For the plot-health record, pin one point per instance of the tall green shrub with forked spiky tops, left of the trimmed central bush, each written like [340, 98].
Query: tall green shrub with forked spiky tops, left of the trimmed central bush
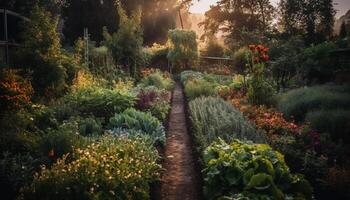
[126, 43]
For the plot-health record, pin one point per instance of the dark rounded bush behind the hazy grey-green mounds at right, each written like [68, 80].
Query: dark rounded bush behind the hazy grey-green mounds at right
[317, 62]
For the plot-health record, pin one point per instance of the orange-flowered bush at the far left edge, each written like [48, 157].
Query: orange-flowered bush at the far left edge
[15, 91]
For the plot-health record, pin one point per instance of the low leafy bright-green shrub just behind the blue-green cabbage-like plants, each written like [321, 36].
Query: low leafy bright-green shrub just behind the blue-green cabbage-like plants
[100, 102]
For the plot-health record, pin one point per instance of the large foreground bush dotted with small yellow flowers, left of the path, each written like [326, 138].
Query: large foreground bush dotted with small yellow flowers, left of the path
[111, 168]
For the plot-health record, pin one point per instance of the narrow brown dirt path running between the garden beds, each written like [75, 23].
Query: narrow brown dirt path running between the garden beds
[180, 181]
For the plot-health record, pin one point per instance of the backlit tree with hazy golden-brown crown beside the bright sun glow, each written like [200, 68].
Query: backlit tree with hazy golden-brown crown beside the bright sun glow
[237, 16]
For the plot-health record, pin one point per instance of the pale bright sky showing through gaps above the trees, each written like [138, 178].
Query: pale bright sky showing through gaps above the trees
[342, 6]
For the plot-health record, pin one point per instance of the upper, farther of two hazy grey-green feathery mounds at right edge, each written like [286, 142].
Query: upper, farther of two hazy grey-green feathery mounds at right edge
[297, 103]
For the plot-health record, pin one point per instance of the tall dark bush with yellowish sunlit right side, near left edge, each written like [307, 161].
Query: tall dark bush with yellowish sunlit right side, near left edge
[41, 53]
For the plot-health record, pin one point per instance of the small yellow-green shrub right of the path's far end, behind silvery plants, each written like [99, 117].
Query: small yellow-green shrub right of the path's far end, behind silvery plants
[199, 87]
